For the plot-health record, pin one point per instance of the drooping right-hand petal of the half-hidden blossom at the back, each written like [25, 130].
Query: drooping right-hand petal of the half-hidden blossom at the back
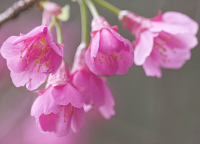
[107, 110]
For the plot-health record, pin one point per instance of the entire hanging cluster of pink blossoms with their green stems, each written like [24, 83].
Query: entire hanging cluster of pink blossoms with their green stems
[161, 42]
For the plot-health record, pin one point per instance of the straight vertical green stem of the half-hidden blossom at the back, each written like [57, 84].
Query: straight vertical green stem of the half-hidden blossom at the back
[84, 23]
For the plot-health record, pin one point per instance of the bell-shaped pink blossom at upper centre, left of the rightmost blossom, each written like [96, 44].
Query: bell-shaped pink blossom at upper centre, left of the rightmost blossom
[109, 53]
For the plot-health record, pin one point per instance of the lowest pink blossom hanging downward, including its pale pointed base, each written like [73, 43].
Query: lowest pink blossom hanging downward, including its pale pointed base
[59, 107]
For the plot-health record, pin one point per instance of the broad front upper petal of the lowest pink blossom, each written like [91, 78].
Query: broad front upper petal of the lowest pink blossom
[66, 94]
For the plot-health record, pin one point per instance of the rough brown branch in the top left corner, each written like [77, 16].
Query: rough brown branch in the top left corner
[17, 8]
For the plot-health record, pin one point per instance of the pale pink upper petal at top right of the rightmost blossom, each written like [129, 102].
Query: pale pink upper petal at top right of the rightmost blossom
[178, 18]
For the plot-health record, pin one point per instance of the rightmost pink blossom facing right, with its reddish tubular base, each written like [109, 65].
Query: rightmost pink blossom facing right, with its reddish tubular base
[164, 41]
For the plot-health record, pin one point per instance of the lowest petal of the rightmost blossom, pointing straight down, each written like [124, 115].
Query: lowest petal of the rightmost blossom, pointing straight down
[151, 67]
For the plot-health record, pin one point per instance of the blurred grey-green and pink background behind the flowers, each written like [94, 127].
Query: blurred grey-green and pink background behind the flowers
[148, 110]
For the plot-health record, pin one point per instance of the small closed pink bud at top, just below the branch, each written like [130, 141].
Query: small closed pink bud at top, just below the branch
[49, 9]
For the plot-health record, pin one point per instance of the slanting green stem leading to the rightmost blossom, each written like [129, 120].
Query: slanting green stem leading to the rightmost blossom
[108, 6]
